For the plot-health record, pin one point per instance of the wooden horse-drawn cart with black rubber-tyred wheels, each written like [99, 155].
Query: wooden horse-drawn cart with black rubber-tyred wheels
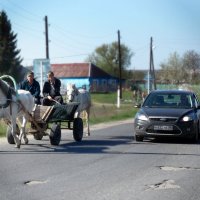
[50, 120]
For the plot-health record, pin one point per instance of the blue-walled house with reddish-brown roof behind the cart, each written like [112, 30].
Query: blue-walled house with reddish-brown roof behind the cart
[85, 75]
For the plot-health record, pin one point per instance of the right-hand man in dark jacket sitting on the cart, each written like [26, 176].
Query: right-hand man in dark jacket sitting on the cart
[51, 91]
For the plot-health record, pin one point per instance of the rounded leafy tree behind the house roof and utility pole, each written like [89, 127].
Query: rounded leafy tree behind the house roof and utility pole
[106, 57]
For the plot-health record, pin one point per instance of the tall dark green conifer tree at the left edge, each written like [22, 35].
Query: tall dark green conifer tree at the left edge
[10, 60]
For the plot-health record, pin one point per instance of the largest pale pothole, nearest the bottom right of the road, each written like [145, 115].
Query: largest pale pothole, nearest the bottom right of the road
[166, 184]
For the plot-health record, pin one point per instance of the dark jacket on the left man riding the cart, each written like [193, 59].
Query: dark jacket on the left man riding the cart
[34, 89]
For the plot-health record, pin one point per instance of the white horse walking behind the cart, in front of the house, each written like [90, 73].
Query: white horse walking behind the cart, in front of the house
[83, 97]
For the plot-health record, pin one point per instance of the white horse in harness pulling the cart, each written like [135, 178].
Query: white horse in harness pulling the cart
[12, 106]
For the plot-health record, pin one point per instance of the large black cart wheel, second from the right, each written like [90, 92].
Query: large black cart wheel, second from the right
[55, 134]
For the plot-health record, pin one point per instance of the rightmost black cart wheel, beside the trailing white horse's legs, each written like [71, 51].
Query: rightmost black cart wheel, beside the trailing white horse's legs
[78, 129]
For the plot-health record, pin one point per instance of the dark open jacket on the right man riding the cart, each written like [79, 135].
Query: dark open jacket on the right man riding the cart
[47, 88]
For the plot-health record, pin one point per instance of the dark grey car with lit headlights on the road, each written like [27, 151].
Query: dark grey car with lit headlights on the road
[168, 113]
